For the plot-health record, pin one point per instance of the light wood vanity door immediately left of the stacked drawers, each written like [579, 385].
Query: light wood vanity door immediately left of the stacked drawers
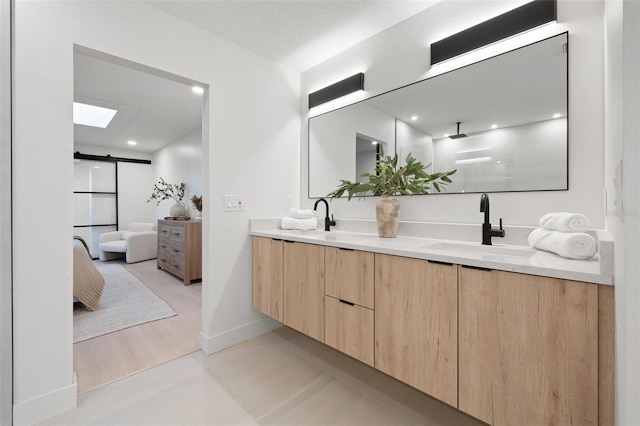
[304, 288]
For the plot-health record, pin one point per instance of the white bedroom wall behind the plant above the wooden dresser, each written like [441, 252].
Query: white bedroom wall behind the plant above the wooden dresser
[180, 161]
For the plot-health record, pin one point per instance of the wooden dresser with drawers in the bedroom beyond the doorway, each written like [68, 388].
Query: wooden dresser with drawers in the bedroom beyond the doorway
[180, 248]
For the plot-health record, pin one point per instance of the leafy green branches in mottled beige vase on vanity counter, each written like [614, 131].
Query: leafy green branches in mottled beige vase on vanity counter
[388, 180]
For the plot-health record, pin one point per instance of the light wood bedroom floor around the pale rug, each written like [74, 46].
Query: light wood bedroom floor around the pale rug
[111, 357]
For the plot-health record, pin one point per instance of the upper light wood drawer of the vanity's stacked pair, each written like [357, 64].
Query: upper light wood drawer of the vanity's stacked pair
[349, 275]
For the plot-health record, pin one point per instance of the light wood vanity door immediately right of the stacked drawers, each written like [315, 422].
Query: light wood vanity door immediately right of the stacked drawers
[416, 324]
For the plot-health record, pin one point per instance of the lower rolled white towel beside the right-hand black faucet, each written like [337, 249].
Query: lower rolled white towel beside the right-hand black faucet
[572, 245]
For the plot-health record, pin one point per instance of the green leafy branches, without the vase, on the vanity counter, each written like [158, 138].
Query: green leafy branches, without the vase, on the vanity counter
[389, 178]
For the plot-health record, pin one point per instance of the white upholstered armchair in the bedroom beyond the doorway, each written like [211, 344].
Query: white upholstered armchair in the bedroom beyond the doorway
[139, 242]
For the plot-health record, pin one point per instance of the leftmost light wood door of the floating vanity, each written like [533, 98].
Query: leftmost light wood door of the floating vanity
[268, 284]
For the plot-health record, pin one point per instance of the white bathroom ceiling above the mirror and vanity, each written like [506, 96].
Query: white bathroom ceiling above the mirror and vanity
[298, 33]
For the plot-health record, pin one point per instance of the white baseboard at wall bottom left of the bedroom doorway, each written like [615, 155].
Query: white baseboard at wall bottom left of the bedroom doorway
[46, 406]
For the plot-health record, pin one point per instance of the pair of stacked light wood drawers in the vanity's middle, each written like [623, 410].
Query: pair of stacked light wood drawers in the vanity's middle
[349, 302]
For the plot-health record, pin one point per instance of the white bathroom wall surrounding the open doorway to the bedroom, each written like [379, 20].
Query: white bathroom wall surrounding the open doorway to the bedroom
[252, 122]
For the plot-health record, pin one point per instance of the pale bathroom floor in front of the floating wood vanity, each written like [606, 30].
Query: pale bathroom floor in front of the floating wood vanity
[279, 378]
